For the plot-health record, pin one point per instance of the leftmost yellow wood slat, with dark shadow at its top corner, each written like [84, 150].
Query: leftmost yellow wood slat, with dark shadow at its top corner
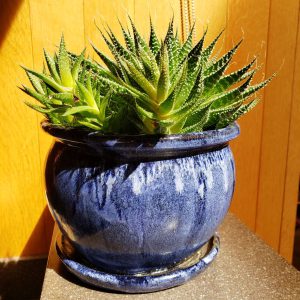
[20, 190]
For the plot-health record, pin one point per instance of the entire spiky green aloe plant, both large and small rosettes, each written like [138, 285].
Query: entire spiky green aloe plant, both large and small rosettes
[154, 87]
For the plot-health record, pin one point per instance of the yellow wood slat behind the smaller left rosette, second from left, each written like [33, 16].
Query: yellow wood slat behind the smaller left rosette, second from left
[48, 22]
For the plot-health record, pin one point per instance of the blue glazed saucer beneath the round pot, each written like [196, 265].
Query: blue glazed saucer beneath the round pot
[142, 282]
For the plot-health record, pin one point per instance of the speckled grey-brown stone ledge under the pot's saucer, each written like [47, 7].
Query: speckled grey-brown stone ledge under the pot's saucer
[246, 268]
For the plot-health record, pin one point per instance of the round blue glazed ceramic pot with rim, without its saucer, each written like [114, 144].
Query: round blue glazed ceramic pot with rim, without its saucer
[132, 204]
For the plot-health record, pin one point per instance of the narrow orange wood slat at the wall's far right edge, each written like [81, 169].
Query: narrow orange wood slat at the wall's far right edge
[293, 164]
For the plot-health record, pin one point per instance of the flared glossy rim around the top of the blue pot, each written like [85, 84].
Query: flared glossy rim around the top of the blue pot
[144, 145]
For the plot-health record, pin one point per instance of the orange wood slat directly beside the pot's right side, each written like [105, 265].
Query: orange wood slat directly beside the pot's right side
[249, 20]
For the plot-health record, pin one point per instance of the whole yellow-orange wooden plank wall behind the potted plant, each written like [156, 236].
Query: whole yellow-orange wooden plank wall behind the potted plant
[267, 152]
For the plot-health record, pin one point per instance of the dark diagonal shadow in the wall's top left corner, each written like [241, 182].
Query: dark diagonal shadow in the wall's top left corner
[8, 10]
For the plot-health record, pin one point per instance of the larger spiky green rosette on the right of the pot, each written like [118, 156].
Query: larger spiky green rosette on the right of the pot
[175, 87]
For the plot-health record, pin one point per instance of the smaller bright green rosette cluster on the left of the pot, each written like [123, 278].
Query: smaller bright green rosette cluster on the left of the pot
[68, 94]
